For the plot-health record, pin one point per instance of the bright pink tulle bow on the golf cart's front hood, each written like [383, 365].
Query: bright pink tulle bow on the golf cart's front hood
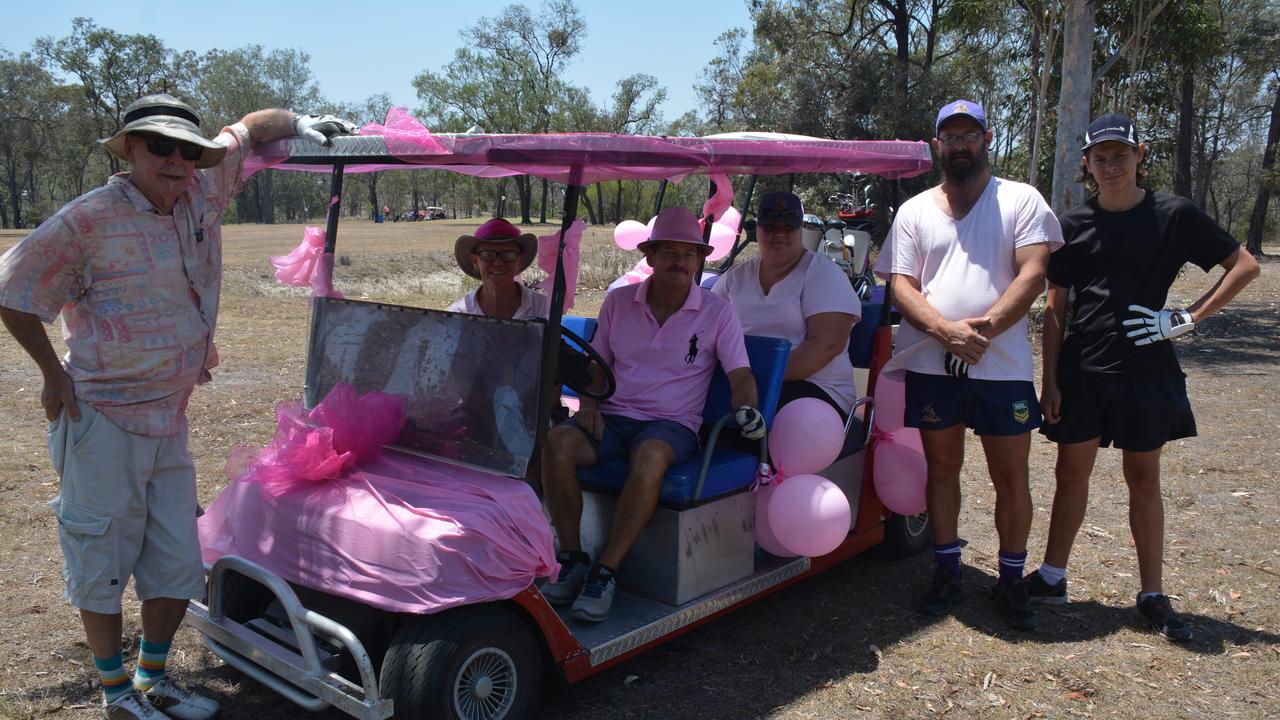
[326, 444]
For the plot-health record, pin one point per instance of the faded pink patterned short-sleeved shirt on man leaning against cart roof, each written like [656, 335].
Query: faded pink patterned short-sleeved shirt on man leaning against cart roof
[138, 291]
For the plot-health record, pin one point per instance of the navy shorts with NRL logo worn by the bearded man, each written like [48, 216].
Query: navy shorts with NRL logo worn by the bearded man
[991, 408]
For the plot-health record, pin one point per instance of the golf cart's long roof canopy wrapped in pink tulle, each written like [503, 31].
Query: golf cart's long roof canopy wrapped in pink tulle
[587, 158]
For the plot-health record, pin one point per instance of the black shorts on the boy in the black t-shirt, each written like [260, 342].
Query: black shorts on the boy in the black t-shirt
[1139, 413]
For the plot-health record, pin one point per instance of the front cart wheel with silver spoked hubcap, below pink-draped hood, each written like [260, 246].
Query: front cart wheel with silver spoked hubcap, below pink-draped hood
[477, 663]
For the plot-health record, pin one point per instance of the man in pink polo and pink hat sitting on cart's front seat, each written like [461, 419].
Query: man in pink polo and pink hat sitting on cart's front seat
[662, 340]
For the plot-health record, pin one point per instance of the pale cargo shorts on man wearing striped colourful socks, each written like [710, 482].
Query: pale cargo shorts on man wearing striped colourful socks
[127, 508]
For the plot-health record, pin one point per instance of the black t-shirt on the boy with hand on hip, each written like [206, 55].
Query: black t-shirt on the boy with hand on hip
[1114, 261]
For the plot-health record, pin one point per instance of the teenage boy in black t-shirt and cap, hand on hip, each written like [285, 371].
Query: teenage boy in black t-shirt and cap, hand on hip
[1114, 379]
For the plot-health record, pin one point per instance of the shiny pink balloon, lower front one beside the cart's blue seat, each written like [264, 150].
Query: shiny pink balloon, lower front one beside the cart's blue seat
[810, 516]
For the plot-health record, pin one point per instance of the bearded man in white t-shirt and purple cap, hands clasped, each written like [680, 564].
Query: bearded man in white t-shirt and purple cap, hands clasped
[966, 262]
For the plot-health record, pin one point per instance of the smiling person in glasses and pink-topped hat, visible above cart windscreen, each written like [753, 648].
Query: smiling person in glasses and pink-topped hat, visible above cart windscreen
[496, 256]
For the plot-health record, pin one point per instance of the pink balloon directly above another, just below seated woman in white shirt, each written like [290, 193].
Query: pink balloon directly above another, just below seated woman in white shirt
[807, 436]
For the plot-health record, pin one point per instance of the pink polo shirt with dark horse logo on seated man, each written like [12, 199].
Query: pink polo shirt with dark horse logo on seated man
[664, 372]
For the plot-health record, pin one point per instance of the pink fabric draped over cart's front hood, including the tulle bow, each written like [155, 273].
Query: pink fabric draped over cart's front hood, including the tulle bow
[324, 509]
